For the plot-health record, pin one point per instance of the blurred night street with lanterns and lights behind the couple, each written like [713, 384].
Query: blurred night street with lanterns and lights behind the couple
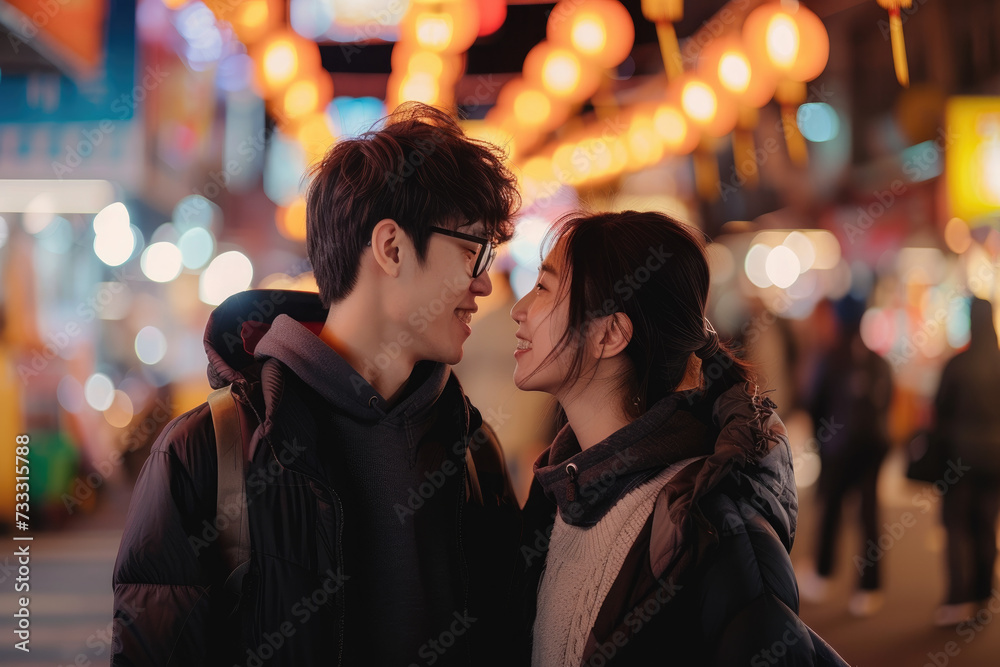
[842, 157]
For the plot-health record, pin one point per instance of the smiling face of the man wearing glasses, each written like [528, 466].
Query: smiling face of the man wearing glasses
[440, 296]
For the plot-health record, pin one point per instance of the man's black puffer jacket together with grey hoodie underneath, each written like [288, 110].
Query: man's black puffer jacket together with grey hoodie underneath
[314, 525]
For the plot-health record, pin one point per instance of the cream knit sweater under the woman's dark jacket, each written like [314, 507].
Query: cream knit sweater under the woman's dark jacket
[580, 567]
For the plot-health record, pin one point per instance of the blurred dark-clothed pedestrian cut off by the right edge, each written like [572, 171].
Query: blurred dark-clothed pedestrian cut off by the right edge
[967, 413]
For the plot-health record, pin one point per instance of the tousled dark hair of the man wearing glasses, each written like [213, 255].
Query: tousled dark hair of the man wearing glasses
[419, 169]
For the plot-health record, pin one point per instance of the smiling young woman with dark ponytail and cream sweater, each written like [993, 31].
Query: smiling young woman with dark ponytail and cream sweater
[659, 521]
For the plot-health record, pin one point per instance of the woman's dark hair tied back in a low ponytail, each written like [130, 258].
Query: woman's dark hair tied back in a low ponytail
[653, 269]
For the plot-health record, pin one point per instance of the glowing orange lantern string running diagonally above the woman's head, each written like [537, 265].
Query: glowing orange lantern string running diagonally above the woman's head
[781, 47]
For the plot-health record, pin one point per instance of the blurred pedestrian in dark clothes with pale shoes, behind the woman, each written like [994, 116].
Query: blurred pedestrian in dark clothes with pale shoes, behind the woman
[850, 413]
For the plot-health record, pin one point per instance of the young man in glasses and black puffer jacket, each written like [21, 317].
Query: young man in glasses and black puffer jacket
[381, 518]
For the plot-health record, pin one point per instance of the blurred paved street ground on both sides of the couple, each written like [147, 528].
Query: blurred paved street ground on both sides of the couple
[71, 592]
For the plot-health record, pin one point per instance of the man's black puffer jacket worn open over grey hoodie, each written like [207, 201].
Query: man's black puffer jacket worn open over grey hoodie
[170, 608]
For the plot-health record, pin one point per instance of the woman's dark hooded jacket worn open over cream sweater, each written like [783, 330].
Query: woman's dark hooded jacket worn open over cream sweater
[708, 581]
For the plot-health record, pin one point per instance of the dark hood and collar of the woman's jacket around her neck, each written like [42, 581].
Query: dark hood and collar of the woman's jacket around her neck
[737, 439]
